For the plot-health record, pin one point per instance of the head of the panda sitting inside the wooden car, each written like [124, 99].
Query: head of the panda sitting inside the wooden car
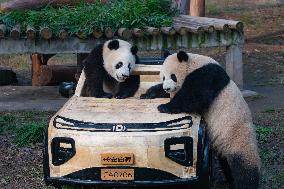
[119, 59]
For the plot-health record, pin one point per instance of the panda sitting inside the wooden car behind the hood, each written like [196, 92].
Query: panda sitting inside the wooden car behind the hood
[108, 70]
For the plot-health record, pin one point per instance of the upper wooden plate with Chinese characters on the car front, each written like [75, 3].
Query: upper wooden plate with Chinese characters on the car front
[117, 159]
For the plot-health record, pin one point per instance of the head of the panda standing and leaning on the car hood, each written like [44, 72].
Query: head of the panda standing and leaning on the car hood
[174, 71]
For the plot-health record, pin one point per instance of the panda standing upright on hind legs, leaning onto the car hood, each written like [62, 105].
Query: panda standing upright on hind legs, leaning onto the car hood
[198, 84]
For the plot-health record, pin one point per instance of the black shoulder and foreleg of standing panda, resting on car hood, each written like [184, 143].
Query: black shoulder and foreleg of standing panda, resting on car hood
[199, 90]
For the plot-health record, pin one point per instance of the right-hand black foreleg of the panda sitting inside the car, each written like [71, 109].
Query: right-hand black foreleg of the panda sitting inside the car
[129, 87]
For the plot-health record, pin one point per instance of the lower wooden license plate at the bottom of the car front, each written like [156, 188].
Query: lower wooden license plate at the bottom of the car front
[117, 174]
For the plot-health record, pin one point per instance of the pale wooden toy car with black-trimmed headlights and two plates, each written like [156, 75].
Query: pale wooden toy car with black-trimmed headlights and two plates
[124, 142]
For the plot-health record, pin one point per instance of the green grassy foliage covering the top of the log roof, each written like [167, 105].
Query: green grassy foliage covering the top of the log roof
[87, 17]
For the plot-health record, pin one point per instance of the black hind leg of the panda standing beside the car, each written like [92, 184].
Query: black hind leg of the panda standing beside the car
[239, 174]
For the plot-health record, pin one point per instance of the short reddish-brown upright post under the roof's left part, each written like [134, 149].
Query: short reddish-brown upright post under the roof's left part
[36, 69]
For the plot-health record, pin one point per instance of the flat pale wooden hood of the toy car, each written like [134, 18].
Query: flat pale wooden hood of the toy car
[133, 110]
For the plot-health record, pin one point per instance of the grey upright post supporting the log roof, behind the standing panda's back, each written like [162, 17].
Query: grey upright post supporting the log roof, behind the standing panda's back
[234, 64]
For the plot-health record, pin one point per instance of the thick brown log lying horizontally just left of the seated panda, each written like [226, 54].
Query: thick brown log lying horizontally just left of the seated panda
[55, 74]
